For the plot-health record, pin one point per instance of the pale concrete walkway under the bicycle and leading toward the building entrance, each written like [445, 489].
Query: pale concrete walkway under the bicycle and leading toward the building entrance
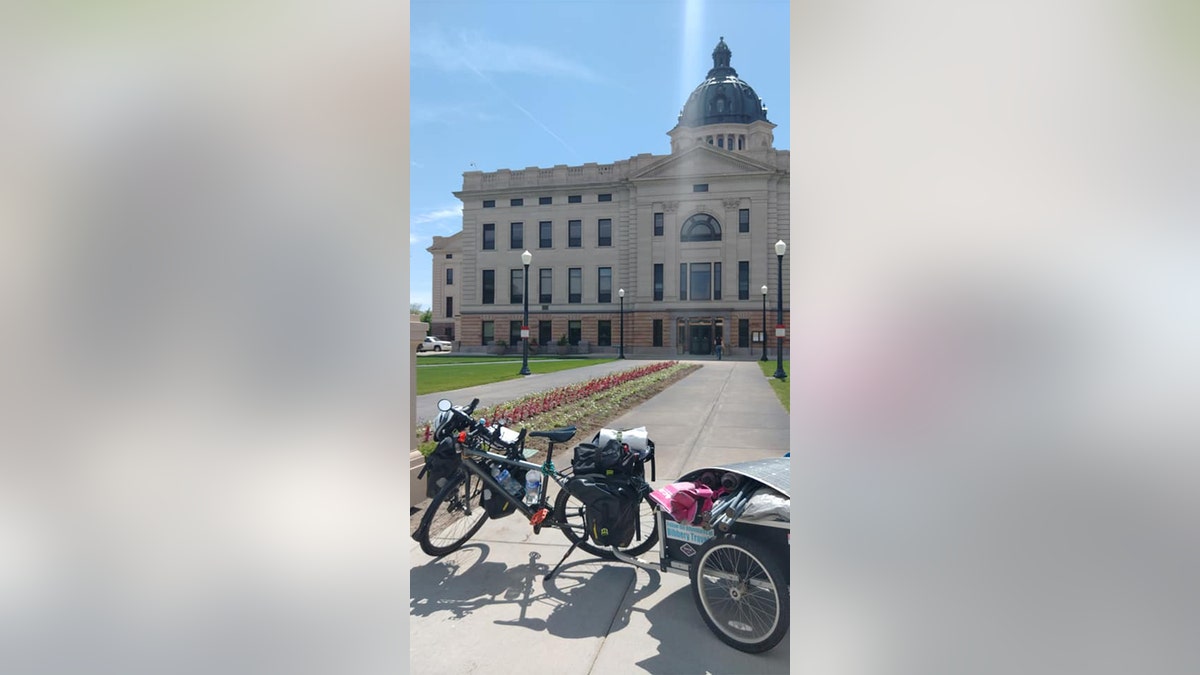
[488, 610]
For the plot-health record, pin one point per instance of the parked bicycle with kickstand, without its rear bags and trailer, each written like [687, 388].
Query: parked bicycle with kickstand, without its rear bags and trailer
[458, 511]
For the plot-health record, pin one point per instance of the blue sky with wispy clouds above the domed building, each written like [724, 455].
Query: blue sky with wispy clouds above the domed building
[513, 85]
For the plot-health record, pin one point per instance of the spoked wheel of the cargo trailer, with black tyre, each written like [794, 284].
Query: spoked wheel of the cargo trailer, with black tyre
[742, 593]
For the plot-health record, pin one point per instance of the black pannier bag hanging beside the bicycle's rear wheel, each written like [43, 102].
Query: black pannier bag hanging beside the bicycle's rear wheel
[610, 506]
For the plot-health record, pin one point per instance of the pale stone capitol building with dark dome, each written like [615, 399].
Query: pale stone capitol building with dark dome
[688, 236]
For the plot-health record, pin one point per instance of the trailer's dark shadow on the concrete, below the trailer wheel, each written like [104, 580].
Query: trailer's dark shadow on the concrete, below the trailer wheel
[687, 646]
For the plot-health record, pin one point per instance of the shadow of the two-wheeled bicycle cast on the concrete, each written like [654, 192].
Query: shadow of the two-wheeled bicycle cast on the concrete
[586, 599]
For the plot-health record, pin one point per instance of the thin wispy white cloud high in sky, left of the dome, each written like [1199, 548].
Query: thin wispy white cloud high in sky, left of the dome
[476, 52]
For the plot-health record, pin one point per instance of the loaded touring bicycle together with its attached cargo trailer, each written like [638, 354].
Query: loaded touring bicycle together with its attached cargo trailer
[725, 527]
